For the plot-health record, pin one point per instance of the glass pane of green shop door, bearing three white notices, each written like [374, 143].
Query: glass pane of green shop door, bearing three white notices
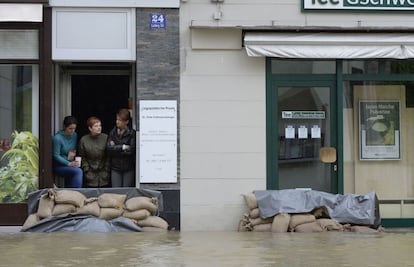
[303, 116]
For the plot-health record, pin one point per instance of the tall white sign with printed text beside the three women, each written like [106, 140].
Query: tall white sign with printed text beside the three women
[158, 141]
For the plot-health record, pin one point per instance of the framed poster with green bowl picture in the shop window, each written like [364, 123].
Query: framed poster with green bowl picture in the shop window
[379, 122]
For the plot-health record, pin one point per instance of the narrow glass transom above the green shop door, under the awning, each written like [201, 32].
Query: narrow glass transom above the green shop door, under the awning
[302, 67]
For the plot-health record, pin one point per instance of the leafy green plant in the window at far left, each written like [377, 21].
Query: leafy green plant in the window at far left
[20, 176]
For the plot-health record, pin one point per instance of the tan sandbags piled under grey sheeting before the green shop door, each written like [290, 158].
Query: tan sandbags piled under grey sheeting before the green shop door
[314, 221]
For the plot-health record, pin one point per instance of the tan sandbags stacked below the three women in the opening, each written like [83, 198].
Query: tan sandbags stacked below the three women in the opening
[141, 209]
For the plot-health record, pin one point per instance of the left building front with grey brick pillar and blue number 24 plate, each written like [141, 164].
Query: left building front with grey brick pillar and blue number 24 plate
[96, 57]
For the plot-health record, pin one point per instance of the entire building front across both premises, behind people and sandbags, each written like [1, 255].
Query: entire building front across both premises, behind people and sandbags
[227, 97]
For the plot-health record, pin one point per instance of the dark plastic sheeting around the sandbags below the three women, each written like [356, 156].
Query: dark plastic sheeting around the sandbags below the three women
[71, 222]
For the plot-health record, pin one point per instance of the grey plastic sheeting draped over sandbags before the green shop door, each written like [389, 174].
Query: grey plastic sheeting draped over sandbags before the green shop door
[349, 208]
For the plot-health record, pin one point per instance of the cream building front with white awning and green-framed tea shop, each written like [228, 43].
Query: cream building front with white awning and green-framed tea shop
[265, 86]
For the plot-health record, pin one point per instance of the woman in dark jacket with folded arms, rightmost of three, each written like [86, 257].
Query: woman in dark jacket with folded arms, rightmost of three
[121, 148]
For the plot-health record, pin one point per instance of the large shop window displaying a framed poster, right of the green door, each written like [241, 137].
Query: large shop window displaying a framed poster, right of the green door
[378, 141]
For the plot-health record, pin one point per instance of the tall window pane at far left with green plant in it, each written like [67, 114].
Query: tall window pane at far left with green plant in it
[18, 133]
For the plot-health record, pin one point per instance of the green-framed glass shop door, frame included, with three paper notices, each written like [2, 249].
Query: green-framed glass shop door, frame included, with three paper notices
[302, 129]
